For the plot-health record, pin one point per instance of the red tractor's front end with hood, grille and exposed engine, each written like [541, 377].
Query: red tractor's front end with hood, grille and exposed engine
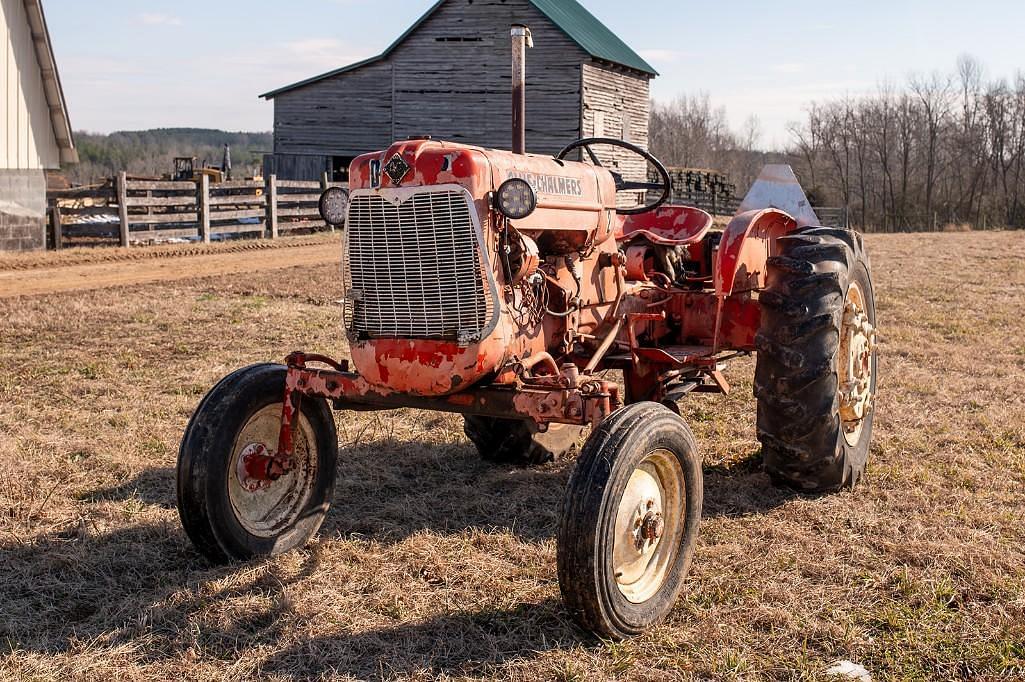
[462, 264]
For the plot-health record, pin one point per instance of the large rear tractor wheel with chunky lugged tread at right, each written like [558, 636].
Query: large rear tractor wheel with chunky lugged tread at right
[815, 410]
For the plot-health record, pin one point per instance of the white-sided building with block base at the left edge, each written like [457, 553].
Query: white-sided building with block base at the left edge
[34, 126]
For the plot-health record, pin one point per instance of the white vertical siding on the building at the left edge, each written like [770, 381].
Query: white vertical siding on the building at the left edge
[28, 142]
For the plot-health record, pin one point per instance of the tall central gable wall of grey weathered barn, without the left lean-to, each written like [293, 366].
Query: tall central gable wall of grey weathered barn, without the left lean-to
[454, 77]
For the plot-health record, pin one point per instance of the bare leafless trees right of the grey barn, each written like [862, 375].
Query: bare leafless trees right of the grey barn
[942, 150]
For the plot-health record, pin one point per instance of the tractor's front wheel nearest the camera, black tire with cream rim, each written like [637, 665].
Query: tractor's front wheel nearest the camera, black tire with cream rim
[630, 521]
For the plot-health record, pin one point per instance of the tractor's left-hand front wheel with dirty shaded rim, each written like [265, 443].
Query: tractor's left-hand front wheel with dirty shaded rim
[230, 517]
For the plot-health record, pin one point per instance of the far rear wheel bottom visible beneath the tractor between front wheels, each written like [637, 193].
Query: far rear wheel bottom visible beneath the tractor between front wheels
[518, 443]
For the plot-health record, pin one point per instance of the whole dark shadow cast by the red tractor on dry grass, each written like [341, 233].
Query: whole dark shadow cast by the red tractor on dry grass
[147, 583]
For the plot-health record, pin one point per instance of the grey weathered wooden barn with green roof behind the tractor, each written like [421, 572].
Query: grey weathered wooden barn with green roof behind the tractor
[449, 76]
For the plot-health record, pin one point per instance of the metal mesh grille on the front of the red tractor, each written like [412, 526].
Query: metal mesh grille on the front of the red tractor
[416, 270]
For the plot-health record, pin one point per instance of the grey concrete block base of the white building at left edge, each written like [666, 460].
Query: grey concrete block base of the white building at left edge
[23, 211]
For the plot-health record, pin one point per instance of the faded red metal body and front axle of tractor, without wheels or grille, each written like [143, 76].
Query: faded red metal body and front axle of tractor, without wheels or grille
[569, 304]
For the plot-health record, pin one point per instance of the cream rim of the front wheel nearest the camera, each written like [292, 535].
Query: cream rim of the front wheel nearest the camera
[649, 527]
